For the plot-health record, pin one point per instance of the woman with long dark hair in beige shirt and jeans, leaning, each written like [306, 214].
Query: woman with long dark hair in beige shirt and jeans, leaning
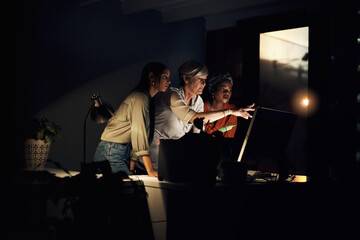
[127, 132]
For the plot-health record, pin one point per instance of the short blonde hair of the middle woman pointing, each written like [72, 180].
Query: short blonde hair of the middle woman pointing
[191, 69]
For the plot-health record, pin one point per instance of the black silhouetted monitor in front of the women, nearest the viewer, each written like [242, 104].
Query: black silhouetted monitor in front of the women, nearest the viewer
[190, 159]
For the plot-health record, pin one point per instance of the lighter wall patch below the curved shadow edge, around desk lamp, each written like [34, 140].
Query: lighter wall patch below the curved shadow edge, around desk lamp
[70, 110]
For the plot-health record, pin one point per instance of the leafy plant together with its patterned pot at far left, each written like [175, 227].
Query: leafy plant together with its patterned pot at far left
[41, 132]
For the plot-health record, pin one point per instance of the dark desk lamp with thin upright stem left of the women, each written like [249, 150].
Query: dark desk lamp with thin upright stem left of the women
[100, 113]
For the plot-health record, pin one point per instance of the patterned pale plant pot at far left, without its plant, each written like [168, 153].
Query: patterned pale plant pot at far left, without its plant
[36, 153]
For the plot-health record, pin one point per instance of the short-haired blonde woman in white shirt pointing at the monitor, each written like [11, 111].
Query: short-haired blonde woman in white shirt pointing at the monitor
[177, 109]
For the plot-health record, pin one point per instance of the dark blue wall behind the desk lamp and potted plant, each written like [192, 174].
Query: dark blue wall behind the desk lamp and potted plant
[64, 52]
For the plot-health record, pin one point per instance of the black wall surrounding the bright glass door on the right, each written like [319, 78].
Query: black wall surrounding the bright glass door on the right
[333, 57]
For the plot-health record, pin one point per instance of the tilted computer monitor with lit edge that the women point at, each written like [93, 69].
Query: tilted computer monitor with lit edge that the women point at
[267, 139]
